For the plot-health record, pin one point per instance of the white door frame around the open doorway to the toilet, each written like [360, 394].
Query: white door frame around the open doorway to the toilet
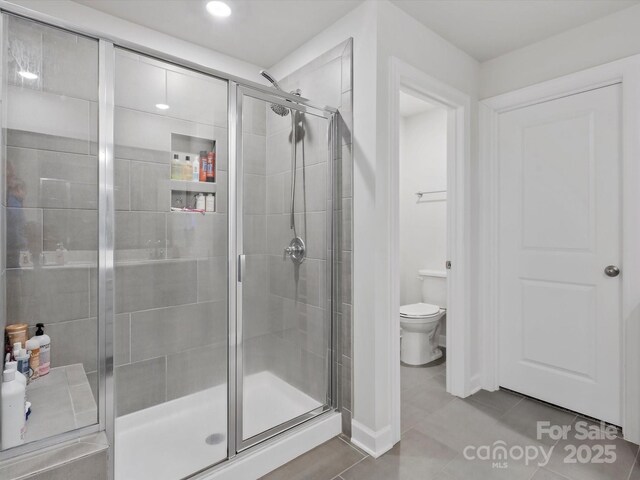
[405, 77]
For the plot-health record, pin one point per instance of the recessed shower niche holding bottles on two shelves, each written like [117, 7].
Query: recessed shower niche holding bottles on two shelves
[193, 174]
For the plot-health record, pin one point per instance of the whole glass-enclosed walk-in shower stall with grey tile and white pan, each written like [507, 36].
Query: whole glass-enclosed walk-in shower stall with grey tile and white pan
[173, 229]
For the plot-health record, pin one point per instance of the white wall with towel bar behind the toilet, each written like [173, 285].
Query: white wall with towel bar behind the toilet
[423, 223]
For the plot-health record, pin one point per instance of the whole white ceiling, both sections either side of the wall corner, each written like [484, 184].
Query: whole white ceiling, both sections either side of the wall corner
[263, 32]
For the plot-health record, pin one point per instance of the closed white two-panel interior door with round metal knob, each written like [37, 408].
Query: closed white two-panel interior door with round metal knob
[560, 225]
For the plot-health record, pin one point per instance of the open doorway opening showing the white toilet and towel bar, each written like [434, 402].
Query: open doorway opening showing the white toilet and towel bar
[423, 255]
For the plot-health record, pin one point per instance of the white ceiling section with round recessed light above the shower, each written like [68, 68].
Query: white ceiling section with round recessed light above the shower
[262, 32]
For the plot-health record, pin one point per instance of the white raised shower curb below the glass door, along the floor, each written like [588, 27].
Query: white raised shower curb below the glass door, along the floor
[268, 458]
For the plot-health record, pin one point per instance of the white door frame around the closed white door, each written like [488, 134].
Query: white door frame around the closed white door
[627, 73]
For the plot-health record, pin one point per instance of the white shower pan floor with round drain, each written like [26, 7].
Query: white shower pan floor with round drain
[177, 438]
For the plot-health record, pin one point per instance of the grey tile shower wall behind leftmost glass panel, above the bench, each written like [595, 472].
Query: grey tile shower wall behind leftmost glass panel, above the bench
[50, 188]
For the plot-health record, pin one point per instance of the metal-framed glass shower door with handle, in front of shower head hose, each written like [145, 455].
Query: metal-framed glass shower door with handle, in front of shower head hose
[284, 239]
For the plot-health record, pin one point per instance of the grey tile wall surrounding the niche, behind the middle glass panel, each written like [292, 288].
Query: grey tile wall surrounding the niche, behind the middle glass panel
[171, 267]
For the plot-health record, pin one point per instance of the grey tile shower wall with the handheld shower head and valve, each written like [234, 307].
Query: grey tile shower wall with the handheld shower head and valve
[327, 81]
